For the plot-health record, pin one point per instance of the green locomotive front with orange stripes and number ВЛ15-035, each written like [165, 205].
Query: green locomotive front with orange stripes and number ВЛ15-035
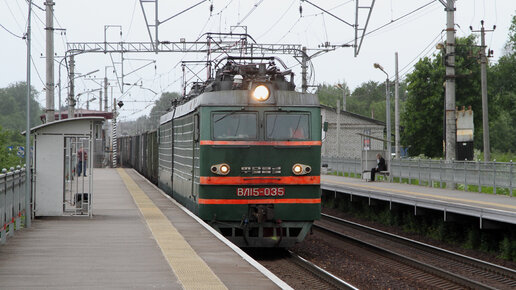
[259, 158]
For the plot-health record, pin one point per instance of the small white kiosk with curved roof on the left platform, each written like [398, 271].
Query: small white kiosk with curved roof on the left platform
[59, 148]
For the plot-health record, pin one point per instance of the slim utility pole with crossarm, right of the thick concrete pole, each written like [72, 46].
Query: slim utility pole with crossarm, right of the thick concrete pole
[483, 76]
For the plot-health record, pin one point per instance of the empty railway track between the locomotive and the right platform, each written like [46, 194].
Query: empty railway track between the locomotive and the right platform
[430, 265]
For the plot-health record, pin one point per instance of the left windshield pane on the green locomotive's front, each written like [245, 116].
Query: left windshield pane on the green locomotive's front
[234, 125]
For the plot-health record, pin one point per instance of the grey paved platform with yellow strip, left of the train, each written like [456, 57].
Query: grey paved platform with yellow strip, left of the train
[138, 238]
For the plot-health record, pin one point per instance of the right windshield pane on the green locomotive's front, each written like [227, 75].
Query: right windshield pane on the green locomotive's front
[287, 126]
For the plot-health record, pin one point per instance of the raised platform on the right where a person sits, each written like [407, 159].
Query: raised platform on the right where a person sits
[486, 207]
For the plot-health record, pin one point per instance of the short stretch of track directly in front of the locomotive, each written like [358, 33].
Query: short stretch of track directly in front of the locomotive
[296, 271]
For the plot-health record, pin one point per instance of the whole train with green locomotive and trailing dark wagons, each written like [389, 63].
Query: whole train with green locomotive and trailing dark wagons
[242, 151]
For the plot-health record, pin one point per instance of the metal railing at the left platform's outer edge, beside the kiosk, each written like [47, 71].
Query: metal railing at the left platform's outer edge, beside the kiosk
[12, 201]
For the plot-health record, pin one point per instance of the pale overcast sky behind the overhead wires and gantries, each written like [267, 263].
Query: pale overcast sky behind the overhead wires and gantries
[267, 21]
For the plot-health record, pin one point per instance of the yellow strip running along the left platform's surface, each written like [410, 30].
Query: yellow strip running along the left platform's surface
[190, 269]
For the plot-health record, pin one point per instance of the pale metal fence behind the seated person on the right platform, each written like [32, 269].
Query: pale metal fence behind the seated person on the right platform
[469, 174]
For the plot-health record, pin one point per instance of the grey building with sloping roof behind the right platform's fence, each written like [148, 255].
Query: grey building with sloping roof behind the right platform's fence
[351, 142]
